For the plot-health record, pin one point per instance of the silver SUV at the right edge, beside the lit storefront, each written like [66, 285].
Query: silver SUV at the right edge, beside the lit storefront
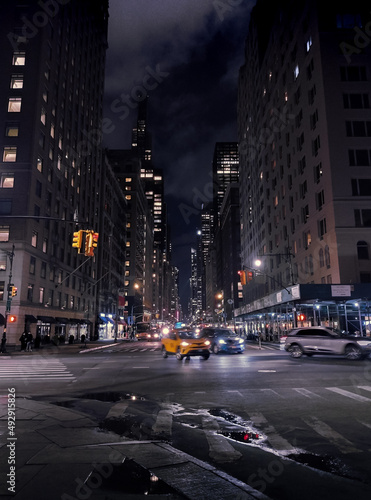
[322, 340]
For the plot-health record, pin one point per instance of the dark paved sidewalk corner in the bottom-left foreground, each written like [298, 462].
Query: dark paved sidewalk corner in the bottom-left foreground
[63, 454]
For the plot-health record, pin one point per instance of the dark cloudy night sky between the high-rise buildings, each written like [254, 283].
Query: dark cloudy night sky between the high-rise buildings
[186, 54]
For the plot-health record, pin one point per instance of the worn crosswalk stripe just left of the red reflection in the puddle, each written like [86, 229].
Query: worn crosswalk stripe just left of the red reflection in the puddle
[220, 449]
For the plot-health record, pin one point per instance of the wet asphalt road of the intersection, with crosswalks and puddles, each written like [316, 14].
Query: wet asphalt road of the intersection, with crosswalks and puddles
[289, 428]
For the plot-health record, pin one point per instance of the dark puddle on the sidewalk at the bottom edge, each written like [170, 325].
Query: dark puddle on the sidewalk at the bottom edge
[129, 478]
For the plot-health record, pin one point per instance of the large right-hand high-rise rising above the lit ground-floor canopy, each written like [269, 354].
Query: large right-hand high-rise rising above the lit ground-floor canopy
[304, 143]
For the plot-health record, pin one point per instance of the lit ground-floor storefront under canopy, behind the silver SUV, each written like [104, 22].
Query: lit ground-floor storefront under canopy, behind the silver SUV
[344, 307]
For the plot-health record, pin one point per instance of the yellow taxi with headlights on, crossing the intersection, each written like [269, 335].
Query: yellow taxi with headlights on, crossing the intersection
[184, 343]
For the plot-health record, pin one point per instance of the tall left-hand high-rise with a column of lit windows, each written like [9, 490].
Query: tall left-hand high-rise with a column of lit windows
[51, 96]
